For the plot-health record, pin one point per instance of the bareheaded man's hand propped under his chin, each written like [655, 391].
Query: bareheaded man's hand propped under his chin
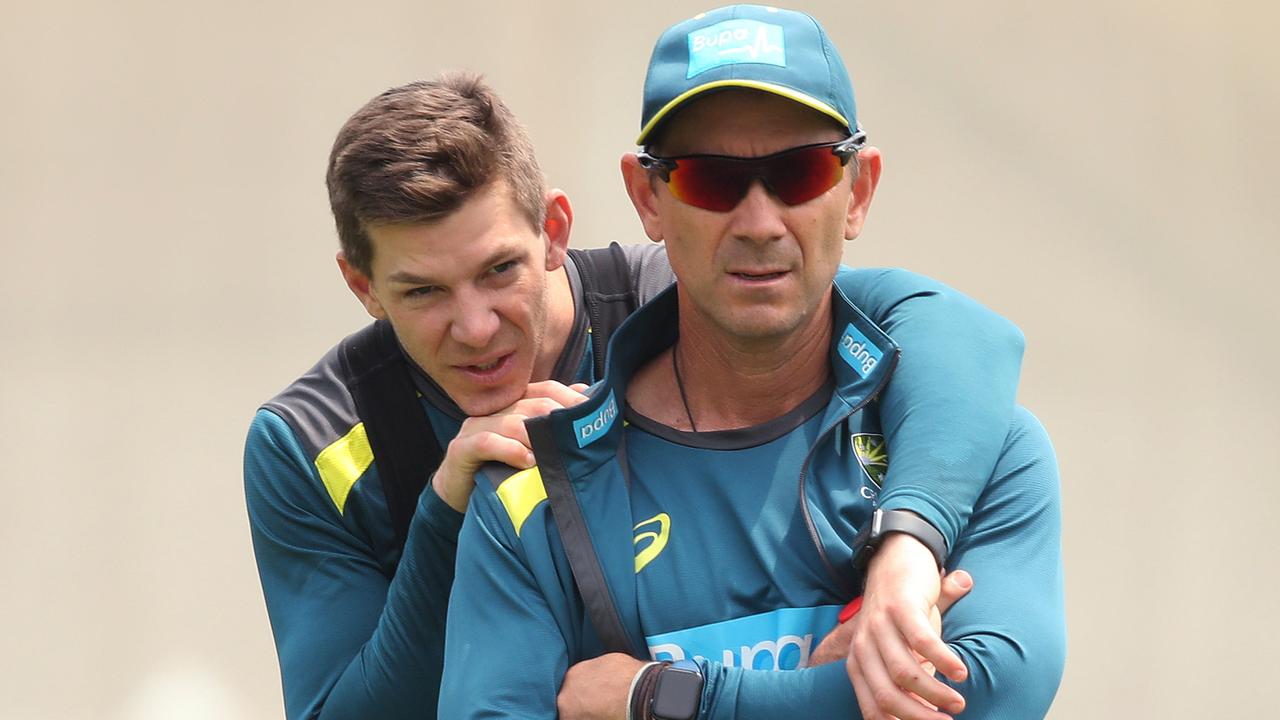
[499, 439]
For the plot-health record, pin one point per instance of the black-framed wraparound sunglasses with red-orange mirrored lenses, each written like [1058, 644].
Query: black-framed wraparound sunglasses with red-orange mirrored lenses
[720, 183]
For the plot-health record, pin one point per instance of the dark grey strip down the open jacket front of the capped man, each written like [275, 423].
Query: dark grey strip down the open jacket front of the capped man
[583, 562]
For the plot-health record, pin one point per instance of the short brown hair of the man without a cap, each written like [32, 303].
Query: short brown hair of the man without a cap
[419, 152]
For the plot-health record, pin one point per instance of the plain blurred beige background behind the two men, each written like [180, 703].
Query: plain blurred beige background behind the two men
[1100, 172]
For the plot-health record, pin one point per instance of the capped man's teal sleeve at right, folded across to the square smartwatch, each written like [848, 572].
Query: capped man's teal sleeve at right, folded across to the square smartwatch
[1008, 631]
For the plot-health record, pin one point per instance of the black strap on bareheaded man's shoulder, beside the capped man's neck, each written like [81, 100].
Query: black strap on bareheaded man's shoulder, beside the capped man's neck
[609, 293]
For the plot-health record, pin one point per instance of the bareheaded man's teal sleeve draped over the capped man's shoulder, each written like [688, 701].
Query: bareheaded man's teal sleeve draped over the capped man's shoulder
[949, 407]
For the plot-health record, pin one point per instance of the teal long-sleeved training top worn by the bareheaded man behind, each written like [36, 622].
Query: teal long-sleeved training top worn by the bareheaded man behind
[360, 630]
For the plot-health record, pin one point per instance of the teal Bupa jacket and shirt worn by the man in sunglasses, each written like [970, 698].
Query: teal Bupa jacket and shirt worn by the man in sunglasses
[734, 549]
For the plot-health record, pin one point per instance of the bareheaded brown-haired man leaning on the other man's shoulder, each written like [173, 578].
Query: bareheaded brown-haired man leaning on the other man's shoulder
[359, 473]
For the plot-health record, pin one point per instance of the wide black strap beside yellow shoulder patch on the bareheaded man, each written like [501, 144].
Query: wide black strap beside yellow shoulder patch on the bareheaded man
[400, 435]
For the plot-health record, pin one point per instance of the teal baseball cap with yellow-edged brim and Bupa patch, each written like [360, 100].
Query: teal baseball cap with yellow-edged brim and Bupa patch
[753, 47]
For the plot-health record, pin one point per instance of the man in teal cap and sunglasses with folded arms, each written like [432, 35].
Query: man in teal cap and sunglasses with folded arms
[720, 481]
